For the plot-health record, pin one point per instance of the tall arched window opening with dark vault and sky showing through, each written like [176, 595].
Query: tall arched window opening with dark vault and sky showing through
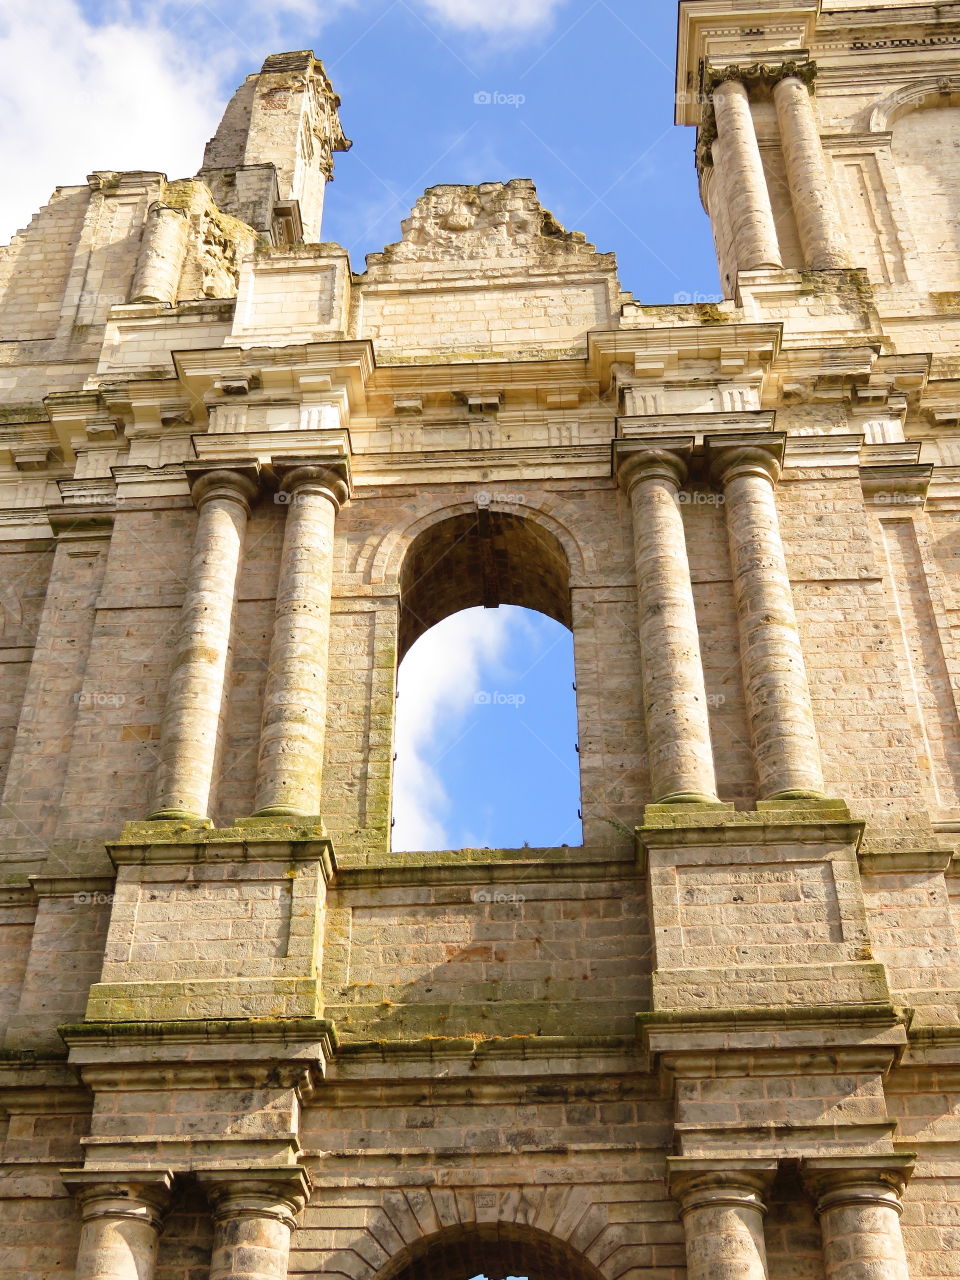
[486, 734]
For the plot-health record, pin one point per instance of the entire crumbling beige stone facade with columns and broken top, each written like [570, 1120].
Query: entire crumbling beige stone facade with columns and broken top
[237, 481]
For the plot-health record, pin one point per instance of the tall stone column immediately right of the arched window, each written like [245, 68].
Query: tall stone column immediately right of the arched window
[675, 698]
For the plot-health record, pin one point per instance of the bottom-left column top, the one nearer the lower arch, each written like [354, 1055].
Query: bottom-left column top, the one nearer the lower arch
[254, 1219]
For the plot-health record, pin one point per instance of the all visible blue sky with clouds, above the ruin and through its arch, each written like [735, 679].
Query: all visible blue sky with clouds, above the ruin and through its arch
[583, 104]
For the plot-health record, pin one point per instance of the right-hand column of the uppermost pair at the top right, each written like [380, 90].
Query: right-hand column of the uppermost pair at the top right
[817, 218]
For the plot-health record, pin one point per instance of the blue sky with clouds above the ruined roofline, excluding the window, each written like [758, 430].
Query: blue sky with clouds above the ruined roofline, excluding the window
[140, 85]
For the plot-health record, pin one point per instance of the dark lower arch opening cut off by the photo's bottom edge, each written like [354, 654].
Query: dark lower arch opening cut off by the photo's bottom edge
[496, 1251]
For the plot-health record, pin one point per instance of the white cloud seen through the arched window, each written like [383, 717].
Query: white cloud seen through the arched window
[438, 683]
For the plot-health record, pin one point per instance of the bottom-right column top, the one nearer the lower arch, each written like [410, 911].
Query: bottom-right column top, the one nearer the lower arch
[723, 1212]
